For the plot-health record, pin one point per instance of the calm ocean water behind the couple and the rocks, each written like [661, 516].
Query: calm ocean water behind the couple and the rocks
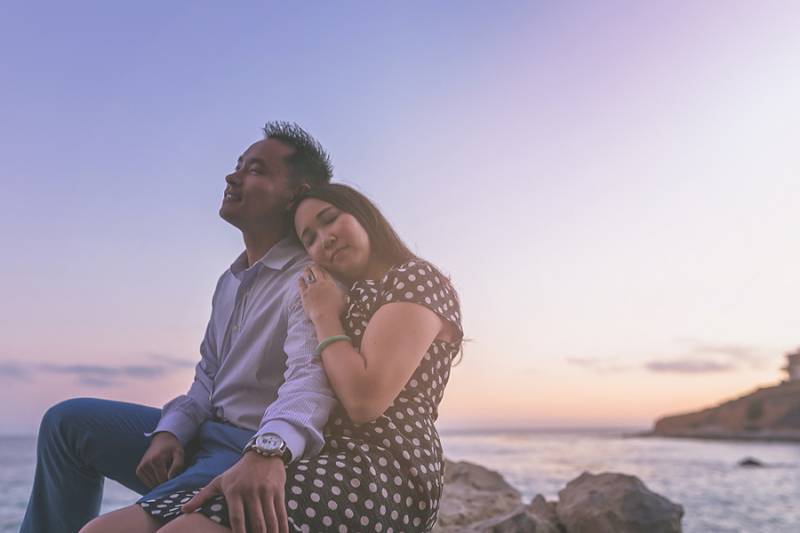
[703, 476]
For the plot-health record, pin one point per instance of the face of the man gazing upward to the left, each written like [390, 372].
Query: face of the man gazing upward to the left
[258, 191]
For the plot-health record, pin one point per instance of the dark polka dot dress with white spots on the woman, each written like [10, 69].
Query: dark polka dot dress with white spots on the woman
[386, 475]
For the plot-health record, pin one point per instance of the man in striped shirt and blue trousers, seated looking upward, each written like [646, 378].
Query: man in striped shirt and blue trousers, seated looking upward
[258, 376]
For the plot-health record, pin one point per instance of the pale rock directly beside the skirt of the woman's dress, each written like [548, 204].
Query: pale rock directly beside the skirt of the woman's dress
[473, 494]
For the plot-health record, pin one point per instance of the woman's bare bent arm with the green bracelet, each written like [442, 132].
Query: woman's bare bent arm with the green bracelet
[394, 343]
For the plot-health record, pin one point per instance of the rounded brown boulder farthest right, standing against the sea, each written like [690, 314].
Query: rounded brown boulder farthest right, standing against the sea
[615, 503]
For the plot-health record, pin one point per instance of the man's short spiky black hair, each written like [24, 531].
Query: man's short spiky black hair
[309, 162]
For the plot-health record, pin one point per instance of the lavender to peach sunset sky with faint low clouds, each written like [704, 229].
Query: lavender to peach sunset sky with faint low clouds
[612, 187]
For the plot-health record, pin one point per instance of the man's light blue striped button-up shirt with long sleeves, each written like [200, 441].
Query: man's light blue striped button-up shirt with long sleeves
[258, 369]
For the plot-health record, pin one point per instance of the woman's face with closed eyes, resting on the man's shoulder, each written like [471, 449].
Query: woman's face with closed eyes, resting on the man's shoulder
[334, 239]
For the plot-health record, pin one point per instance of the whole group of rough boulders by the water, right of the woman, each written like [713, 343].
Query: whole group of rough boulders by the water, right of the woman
[478, 500]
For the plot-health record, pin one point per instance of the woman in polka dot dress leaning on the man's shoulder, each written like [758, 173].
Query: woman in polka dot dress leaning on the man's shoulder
[386, 345]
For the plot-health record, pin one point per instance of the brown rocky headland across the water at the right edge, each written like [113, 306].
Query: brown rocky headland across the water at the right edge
[769, 413]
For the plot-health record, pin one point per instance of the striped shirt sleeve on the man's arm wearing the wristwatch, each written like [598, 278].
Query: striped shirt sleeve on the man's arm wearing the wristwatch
[305, 399]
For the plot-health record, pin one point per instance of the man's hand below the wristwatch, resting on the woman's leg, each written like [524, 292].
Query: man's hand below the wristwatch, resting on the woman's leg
[253, 488]
